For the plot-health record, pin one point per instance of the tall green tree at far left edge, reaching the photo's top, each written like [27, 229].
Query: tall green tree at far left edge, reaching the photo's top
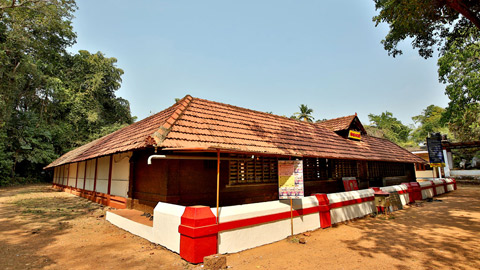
[33, 36]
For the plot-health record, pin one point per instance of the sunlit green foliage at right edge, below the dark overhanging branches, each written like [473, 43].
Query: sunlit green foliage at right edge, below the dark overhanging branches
[459, 68]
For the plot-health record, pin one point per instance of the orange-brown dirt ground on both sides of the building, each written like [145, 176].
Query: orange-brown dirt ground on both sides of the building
[41, 228]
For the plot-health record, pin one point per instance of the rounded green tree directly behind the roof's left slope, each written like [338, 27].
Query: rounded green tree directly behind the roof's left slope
[87, 98]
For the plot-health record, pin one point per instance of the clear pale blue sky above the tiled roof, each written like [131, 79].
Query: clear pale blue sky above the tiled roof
[264, 55]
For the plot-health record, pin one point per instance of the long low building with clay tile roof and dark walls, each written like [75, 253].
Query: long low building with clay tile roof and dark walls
[172, 157]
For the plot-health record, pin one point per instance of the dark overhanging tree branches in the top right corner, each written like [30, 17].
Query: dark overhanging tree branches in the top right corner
[429, 23]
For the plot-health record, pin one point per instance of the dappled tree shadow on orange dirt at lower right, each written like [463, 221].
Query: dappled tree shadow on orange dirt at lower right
[428, 233]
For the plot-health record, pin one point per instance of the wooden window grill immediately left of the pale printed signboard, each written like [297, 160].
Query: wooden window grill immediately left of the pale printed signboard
[247, 171]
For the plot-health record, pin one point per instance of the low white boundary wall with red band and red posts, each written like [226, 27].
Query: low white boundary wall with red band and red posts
[194, 232]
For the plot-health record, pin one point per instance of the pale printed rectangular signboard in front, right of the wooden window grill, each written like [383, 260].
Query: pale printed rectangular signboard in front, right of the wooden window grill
[290, 179]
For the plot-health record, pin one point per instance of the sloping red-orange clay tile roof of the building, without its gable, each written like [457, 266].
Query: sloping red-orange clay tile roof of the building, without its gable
[199, 123]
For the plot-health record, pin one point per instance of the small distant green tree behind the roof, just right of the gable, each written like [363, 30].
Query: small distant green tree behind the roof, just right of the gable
[389, 128]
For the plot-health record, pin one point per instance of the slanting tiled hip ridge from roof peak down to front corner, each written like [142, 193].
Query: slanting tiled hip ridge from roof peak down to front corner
[159, 136]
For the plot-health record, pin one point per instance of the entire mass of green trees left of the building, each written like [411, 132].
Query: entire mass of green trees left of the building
[50, 101]
